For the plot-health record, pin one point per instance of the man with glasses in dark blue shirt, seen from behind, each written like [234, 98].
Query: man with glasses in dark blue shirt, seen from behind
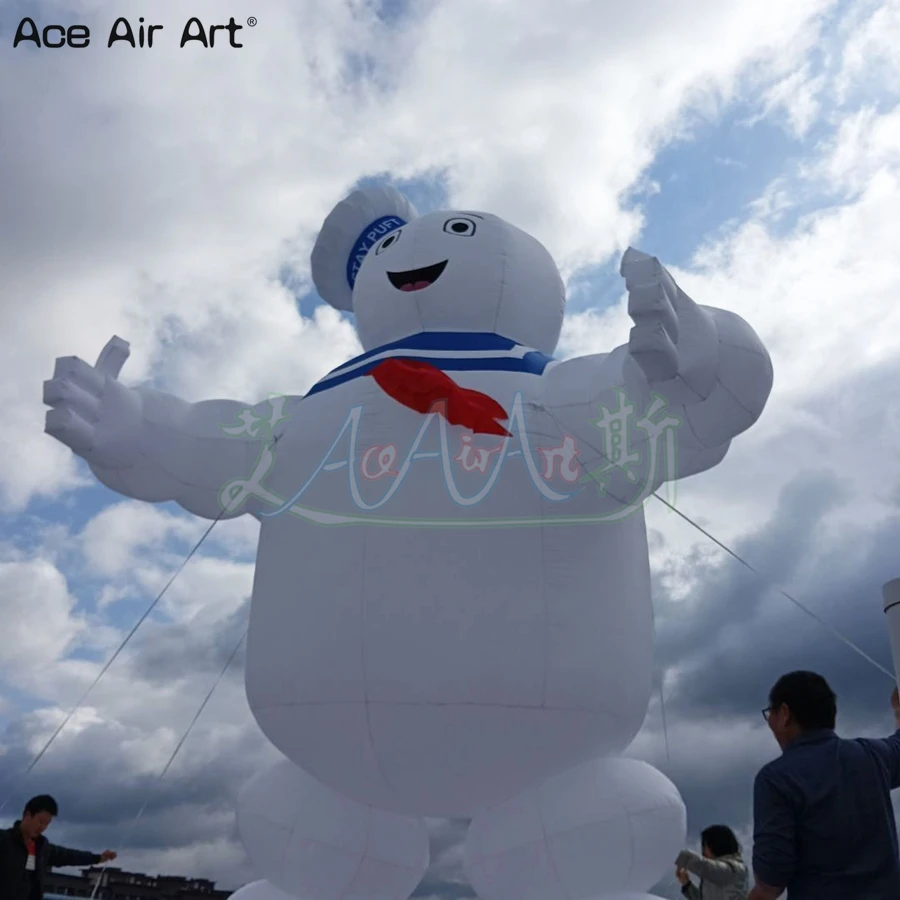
[824, 827]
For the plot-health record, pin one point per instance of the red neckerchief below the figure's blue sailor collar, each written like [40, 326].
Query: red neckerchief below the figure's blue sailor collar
[425, 388]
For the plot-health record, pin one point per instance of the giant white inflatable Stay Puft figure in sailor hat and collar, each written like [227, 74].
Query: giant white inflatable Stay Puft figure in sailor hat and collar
[451, 613]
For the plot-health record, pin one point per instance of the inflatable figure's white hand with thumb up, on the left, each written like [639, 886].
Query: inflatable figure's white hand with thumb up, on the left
[94, 415]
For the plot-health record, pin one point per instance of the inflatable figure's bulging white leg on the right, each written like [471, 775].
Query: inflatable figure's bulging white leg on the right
[611, 826]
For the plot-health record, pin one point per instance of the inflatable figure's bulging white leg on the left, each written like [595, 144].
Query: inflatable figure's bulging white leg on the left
[310, 841]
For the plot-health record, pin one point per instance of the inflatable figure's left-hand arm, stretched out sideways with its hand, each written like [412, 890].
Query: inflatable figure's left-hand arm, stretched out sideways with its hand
[152, 446]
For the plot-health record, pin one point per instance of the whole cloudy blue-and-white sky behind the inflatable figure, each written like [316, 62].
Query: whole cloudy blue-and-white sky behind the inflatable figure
[172, 196]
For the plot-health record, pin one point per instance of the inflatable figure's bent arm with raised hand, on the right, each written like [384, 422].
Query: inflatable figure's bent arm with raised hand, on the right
[704, 368]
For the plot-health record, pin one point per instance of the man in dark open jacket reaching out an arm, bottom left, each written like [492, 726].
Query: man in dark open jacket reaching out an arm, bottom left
[25, 854]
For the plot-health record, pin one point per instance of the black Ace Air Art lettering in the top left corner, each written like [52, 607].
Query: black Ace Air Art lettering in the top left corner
[122, 32]
